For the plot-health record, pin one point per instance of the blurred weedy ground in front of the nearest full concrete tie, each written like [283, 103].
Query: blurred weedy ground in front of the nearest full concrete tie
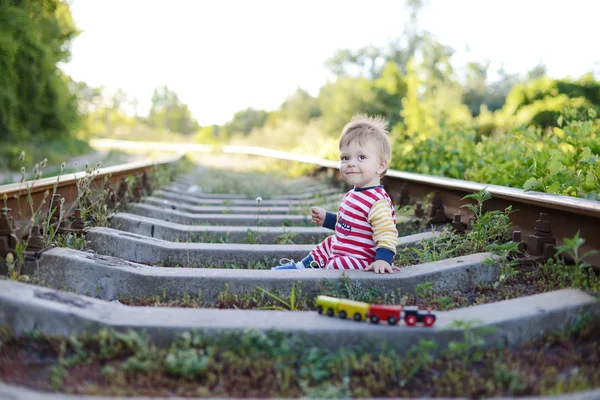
[255, 364]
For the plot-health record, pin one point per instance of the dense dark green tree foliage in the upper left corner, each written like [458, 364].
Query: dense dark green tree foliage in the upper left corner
[35, 99]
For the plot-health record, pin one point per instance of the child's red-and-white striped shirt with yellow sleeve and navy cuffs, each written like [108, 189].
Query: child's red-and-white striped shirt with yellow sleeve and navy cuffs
[365, 226]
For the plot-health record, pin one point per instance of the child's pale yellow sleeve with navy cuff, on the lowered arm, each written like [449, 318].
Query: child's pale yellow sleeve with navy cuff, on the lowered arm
[385, 234]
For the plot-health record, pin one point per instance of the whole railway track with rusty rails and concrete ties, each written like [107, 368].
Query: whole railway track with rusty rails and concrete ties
[198, 256]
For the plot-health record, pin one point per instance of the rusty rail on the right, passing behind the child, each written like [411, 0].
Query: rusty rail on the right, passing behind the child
[543, 219]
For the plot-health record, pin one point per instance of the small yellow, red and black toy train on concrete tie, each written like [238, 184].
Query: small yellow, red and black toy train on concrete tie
[374, 312]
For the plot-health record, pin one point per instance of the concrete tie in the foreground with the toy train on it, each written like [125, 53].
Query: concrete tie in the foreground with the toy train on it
[25, 307]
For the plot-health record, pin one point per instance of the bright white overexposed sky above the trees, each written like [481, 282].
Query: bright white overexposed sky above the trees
[224, 56]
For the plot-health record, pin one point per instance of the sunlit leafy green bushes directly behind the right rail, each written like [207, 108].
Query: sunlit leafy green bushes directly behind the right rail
[561, 160]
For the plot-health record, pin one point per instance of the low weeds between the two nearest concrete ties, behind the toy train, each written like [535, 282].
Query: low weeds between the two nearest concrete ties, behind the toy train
[512, 283]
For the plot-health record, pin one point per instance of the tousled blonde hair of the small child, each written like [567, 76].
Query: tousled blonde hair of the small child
[364, 128]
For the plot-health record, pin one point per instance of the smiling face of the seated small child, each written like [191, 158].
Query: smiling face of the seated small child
[361, 166]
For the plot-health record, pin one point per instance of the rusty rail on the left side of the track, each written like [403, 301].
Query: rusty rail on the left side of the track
[19, 201]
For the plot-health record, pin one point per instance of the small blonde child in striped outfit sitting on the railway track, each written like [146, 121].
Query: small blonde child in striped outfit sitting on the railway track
[365, 225]
